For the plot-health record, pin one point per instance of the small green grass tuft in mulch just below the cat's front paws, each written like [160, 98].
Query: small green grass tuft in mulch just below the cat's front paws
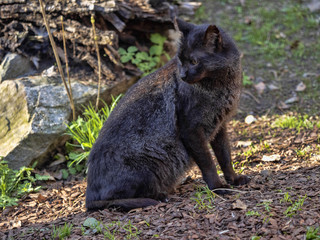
[204, 198]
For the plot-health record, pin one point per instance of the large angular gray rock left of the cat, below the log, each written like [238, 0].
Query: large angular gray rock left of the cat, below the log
[34, 112]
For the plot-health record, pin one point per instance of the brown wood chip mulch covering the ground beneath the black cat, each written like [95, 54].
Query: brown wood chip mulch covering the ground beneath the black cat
[271, 157]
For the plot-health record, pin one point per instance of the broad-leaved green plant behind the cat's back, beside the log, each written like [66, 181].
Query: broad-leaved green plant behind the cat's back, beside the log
[147, 62]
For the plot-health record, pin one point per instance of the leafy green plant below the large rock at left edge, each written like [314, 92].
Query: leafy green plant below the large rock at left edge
[16, 183]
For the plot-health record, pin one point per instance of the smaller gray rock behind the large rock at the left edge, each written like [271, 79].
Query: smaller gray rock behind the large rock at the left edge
[13, 66]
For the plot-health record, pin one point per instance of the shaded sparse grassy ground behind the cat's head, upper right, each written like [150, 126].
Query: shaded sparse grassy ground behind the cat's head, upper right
[279, 41]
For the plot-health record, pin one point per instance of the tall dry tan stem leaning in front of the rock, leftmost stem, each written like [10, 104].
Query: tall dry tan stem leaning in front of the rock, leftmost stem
[54, 48]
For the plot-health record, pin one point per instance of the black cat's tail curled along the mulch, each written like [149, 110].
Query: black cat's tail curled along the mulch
[122, 204]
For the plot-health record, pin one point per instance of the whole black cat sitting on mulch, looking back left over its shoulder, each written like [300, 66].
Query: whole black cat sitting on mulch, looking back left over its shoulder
[163, 125]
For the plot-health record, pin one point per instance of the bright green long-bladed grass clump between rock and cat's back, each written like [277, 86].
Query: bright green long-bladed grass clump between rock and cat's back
[85, 130]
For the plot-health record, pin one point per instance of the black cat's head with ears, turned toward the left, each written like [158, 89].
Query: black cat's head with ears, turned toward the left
[205, 52]
